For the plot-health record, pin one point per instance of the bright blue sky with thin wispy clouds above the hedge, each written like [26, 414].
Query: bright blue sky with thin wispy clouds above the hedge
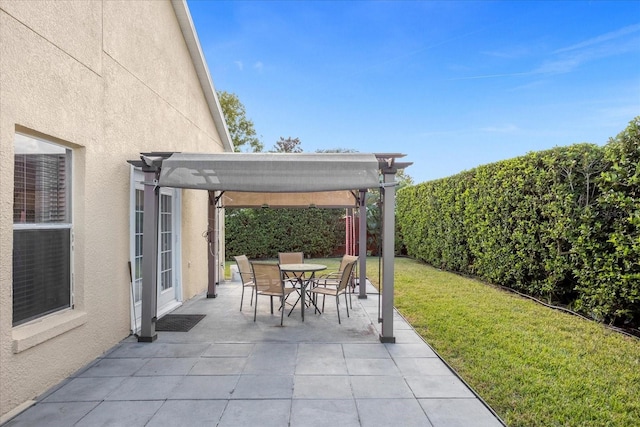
[452, 84]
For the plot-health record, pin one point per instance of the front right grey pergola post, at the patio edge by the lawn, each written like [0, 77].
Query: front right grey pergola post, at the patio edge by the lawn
[388, 253]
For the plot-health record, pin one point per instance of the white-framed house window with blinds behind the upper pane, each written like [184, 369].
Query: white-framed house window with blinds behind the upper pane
[42, 236]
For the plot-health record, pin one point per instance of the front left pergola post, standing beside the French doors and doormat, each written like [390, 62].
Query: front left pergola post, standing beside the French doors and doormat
[150, 255]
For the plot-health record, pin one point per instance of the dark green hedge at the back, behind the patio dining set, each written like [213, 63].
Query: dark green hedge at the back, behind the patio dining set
[262, 233]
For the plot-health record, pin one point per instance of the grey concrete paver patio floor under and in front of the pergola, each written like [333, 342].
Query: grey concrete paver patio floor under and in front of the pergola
[230, 371]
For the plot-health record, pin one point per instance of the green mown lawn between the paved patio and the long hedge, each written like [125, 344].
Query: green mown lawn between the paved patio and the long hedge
[533, 365]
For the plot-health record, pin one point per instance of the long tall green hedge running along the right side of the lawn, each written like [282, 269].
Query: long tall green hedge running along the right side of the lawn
[561, 224]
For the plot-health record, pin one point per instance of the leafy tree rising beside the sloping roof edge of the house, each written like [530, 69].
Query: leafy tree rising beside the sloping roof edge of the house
[243, 134]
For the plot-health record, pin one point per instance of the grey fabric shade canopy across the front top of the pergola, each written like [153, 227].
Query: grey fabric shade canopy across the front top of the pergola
[271, 172]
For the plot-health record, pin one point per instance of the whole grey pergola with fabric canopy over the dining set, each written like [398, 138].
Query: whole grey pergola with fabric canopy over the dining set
[323, 180]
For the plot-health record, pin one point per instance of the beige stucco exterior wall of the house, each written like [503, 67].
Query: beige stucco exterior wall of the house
[109, 80]
